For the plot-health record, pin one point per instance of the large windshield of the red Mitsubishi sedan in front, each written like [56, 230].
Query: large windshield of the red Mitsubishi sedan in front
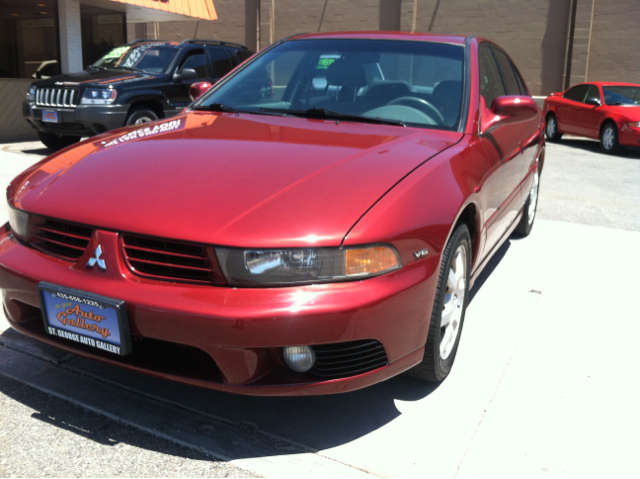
[408, 83]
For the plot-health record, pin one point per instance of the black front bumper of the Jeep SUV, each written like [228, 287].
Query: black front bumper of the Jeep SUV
[81, 120]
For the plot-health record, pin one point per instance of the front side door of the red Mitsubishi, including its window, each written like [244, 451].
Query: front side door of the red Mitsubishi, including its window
[503, 149]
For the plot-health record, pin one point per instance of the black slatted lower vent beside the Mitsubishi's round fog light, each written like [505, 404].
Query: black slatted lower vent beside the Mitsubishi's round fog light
[341, 360]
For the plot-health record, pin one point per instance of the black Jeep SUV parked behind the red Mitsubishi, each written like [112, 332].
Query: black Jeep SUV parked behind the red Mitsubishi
[138, 82]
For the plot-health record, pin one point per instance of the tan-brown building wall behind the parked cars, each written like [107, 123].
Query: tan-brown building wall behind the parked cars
[534, 32]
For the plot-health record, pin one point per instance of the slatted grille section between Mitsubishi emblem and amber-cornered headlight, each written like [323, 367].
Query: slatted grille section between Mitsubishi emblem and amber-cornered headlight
[168, 260]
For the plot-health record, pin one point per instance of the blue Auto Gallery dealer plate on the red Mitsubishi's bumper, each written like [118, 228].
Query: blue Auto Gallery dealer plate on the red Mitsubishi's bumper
[85, 318]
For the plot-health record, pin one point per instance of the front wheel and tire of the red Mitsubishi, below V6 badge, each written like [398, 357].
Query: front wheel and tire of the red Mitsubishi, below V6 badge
[449, 306]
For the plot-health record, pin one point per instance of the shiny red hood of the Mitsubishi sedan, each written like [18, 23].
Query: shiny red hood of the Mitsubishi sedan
[238, 180]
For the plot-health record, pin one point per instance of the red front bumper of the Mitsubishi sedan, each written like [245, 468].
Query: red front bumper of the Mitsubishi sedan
[230, 339]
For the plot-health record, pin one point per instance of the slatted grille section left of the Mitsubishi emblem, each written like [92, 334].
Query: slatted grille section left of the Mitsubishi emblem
[60, 239]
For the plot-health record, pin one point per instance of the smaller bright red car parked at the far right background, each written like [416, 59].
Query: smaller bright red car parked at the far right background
[606, 111]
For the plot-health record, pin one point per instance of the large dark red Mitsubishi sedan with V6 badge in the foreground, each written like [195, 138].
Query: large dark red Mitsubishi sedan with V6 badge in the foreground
[311, 225]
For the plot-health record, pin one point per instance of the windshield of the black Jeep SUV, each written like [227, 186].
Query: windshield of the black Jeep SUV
[149, 57]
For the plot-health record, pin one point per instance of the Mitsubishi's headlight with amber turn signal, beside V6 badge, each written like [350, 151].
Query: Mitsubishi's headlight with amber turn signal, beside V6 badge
[255, 267]
